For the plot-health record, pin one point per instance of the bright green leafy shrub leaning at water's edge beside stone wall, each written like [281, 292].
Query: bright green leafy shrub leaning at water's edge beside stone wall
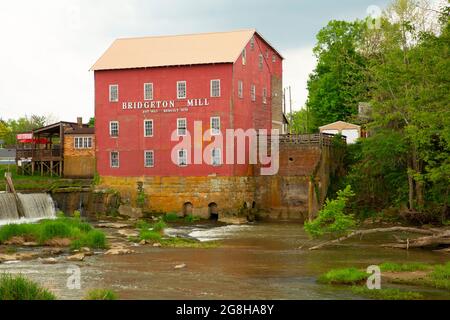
[332, 219]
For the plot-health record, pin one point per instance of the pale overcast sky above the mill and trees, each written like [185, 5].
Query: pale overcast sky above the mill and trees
[48, 46]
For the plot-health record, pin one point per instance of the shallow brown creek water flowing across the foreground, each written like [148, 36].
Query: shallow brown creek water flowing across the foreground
[258, 261]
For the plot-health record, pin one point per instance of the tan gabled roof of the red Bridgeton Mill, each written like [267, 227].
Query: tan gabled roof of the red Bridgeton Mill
[162, 51]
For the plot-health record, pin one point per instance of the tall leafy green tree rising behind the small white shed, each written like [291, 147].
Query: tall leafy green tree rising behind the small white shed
[339, 81]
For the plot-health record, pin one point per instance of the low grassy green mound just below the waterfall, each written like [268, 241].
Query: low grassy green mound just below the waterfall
[82, 234]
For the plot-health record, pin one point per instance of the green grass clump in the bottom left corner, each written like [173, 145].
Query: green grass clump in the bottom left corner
[20, 288]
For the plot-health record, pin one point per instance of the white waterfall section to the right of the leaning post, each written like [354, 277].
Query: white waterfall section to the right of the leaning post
[37, 205]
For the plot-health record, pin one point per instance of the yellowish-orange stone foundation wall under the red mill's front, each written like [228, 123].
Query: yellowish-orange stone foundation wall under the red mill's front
[170, 194]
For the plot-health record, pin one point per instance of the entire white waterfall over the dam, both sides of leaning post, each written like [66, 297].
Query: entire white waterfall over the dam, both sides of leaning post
[34, 206]
